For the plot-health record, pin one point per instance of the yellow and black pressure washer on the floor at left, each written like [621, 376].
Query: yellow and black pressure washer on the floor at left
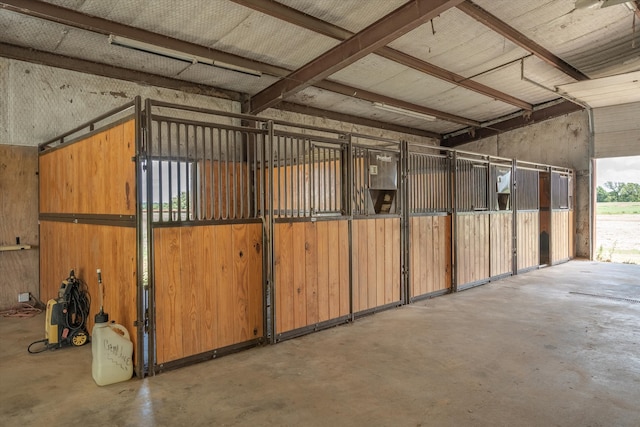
[66, 317]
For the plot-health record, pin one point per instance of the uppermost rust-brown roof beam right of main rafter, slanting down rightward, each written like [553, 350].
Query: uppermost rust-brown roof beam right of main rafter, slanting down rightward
[502, 28]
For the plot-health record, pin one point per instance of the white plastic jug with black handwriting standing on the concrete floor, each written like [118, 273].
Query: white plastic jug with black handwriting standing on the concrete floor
[112, 351]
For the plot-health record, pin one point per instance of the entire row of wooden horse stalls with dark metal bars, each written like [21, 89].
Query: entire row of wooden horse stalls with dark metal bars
[218, 231]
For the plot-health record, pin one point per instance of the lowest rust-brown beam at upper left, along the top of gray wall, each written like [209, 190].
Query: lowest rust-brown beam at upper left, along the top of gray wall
[105, 70]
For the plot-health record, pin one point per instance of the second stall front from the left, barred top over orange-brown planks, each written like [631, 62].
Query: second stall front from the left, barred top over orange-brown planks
[308, 177]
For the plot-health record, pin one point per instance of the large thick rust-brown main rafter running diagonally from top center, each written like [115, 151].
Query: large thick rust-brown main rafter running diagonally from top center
[390, 27]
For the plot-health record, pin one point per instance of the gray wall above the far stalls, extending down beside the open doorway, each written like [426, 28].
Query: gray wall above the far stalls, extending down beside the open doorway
[563, 141]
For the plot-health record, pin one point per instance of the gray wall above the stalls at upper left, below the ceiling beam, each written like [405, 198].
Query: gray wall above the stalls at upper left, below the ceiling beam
[43, 102]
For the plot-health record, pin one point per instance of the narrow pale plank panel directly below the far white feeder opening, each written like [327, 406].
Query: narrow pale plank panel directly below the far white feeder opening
[501, 243]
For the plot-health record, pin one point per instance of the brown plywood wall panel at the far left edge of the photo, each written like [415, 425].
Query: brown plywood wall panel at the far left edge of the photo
[18, 220]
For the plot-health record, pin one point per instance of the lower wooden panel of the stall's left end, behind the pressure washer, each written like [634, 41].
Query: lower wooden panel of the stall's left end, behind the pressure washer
[85, 248]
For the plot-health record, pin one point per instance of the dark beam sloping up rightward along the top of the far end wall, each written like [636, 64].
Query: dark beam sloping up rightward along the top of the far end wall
[555, 110]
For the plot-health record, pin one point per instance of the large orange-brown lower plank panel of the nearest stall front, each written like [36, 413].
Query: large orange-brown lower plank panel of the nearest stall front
[208, 288]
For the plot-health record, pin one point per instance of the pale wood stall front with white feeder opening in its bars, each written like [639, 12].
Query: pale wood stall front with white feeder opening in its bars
[484, 222]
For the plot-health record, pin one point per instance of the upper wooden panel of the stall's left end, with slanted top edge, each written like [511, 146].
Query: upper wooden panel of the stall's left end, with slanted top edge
[93, 176]
